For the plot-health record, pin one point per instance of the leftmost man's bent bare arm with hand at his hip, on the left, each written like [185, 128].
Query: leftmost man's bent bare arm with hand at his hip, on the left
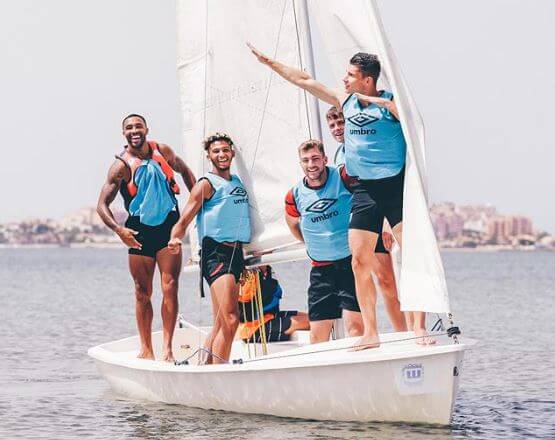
[116, 177]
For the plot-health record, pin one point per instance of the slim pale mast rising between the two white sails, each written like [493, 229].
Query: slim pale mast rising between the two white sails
[307, 55]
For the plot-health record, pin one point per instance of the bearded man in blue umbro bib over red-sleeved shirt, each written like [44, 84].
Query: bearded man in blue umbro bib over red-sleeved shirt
[317, 212]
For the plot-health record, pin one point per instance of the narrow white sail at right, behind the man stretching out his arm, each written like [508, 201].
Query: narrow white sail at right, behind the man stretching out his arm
[351, 26]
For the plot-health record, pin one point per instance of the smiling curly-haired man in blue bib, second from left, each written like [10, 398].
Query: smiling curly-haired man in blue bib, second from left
[220, 203]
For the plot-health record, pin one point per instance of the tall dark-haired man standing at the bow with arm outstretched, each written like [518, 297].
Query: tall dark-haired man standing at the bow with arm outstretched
[375, 152]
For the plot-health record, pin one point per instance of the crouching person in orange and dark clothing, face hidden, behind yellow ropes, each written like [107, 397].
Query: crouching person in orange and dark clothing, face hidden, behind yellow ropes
[259, 300]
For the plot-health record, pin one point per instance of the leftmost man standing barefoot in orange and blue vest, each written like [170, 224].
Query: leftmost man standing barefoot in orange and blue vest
[144, 174]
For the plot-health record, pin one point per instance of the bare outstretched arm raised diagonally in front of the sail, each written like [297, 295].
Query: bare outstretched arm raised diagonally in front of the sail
[301, 79]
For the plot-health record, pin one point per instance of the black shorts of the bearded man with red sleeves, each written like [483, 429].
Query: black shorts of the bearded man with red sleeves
[332, 289]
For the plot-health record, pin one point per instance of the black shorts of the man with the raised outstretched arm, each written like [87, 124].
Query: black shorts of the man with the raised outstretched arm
[375, 199]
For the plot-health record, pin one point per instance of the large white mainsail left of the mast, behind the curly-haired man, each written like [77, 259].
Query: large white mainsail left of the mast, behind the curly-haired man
[224, 88]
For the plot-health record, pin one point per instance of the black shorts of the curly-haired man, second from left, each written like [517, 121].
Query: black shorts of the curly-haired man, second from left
[218, 259]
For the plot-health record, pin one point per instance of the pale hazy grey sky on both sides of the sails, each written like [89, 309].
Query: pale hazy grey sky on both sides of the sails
[481, 72]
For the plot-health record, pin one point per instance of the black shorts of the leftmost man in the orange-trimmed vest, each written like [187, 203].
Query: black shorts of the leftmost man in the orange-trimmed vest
[152, 238]
